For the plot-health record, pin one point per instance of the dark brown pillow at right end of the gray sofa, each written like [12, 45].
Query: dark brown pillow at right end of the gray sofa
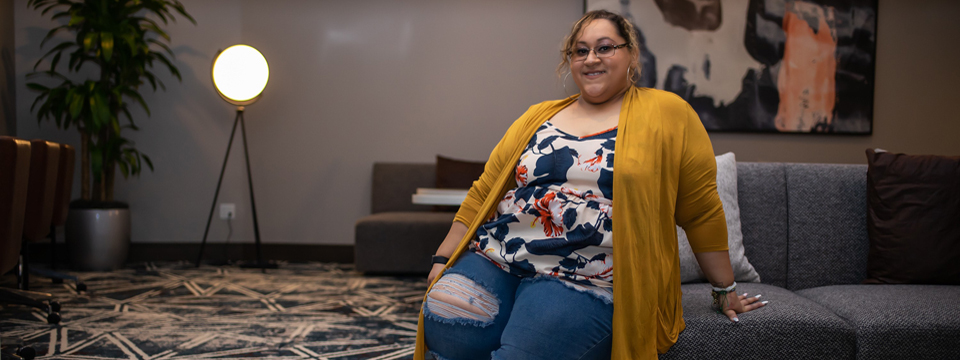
[913, 218]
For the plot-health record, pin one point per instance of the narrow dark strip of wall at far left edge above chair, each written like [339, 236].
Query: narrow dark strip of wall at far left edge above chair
[8, 123]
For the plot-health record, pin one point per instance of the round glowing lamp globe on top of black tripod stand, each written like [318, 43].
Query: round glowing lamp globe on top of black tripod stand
[240, 73]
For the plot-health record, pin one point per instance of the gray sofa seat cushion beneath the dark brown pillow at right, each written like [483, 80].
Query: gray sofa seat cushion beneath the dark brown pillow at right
[897, 321]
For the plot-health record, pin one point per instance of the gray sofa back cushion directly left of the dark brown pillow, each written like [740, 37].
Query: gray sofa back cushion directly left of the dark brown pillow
[826, 213]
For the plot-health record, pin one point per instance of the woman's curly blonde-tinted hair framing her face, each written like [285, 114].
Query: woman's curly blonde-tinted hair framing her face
[625, 29]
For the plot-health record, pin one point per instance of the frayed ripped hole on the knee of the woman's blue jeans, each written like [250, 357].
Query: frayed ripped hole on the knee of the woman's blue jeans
[455, 299]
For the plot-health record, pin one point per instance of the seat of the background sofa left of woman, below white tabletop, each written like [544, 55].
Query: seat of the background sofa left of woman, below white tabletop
[399, 242]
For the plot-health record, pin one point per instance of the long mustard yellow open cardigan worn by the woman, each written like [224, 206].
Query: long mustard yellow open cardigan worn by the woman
[665, 175]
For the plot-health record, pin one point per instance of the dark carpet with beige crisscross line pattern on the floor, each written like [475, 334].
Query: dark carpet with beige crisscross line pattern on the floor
[177, 311]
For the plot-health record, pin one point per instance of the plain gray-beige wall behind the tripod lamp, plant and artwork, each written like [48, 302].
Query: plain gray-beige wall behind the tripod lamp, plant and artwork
[354, 82]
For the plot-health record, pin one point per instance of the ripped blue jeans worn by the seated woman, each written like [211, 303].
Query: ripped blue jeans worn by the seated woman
[478, 311]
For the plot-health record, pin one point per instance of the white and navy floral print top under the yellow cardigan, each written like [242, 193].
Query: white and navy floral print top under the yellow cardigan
[558, 221]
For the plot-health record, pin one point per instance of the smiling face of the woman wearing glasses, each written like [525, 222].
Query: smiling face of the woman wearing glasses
[600, 78]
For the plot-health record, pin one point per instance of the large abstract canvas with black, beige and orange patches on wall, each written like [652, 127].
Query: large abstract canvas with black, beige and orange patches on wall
[790, 66]
